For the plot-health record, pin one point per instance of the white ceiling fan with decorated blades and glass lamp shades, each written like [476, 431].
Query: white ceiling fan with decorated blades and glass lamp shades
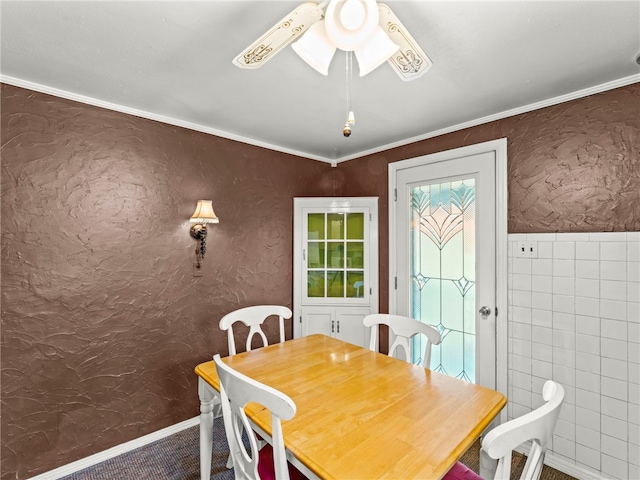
[369, 29]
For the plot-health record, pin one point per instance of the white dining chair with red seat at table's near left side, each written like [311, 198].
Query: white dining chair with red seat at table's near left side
[268, 462]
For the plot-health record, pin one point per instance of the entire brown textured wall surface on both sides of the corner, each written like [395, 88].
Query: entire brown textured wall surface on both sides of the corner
[102, 320]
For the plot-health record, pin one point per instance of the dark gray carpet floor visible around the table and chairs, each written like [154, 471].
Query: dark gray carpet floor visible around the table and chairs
[177, 457]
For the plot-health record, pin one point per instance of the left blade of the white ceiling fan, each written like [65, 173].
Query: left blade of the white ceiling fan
[279, 36]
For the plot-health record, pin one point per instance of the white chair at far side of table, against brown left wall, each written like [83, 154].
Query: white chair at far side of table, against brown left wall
[253, 317]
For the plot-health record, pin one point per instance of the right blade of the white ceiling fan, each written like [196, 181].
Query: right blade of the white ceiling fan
[410, 61]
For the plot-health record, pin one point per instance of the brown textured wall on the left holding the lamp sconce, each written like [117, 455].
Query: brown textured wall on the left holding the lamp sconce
[102, 318]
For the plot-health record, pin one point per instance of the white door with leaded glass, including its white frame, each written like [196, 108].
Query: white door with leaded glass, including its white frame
[448, 256]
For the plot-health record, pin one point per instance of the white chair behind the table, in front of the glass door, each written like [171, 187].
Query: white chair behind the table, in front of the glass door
[403, 328]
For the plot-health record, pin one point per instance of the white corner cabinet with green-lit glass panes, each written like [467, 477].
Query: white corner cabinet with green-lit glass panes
[335, 266]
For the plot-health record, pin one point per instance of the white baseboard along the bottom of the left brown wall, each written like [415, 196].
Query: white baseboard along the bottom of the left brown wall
[115, 451]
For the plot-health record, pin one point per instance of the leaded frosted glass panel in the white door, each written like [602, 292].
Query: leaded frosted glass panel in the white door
[443, 272]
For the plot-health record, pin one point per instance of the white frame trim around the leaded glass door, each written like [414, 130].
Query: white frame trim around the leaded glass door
[499, 148]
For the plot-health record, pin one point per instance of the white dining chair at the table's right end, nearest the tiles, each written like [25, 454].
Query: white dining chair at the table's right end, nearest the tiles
[497, 446]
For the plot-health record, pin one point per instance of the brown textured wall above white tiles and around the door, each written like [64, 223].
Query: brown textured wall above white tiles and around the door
[572, 167]
